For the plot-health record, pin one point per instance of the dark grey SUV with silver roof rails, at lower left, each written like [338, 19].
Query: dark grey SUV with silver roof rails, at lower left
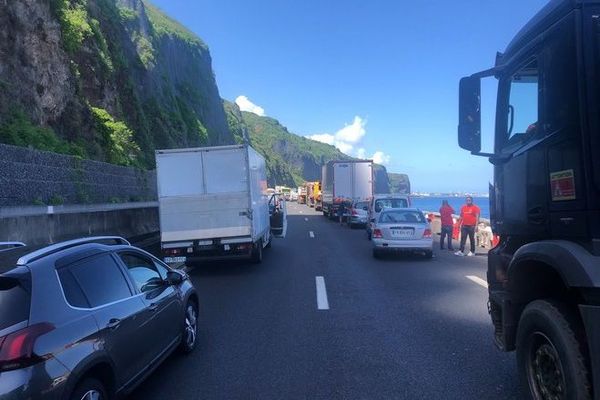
[89, 319]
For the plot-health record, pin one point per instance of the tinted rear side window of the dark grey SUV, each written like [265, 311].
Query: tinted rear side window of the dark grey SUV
[94, 282]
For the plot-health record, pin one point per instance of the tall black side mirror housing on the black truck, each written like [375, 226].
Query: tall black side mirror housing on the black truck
[469, 114]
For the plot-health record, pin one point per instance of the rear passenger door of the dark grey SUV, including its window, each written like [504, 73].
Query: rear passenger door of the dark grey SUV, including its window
[99, 285]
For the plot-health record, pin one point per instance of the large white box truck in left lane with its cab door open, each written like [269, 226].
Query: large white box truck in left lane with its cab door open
[213, 204]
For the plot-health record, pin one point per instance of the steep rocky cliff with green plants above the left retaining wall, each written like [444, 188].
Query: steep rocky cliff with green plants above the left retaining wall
[106, 79]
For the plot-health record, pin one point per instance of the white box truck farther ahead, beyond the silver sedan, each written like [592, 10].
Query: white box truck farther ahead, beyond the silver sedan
[344, 182]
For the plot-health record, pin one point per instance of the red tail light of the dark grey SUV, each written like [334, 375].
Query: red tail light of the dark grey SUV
[16, 349]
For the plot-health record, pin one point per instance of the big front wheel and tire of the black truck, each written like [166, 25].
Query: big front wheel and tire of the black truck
[552, 352]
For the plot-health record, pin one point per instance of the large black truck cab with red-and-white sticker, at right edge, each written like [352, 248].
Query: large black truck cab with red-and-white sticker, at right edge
[544, 275]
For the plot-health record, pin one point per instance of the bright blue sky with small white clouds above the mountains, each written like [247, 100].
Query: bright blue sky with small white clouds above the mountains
[377, 79]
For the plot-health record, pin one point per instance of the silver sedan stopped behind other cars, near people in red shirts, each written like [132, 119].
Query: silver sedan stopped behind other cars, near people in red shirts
[402, 230]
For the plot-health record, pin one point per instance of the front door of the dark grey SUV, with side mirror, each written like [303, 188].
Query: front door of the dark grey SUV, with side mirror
[163, 306]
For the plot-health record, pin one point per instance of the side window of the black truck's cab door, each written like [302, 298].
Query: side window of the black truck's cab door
[523, 113]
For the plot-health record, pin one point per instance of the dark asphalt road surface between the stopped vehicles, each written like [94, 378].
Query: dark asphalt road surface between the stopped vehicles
[398, 328]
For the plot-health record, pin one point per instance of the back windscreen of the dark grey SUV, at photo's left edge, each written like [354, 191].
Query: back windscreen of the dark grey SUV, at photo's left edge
[14, 302]
